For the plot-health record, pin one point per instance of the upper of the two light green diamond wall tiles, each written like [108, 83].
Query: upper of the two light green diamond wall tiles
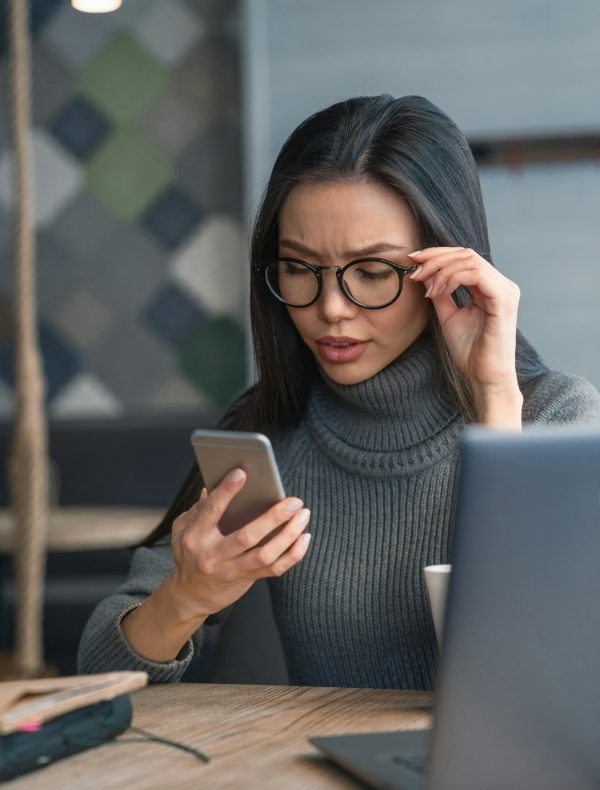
[124, 79]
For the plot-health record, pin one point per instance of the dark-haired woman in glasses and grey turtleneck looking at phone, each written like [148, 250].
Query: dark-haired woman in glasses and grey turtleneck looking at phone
[367, 373]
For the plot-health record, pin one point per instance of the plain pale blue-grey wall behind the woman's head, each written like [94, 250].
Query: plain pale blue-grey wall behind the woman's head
[522, 80]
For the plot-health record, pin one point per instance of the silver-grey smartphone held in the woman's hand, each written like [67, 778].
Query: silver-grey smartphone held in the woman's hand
[218, 452]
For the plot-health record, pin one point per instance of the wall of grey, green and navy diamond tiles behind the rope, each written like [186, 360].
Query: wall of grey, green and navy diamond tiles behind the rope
[138, 177]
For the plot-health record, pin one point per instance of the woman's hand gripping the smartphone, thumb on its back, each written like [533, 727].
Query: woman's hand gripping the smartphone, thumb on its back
[213, 570]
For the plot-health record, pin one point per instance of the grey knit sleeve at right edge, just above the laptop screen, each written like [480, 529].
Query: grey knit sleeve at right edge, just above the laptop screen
[561, 398]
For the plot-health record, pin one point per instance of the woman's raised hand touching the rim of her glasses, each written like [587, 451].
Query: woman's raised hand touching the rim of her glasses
[481, 338]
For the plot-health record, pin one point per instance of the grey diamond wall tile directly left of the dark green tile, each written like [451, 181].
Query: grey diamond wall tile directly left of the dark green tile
[132, 364]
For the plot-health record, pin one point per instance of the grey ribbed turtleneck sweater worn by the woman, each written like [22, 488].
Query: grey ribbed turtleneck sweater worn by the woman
[376, 463]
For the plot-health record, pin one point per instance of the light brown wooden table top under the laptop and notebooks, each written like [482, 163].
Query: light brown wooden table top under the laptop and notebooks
[256, 737]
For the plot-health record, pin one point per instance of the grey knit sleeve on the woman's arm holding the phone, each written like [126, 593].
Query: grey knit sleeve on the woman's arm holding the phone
[103, 647]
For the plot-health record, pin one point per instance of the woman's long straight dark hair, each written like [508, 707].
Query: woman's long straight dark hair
[410, 146]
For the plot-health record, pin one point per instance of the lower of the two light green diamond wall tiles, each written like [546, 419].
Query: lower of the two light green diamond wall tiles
[126, 174]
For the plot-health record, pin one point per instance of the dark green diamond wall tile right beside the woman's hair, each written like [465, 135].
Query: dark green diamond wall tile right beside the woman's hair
[214, 359]
